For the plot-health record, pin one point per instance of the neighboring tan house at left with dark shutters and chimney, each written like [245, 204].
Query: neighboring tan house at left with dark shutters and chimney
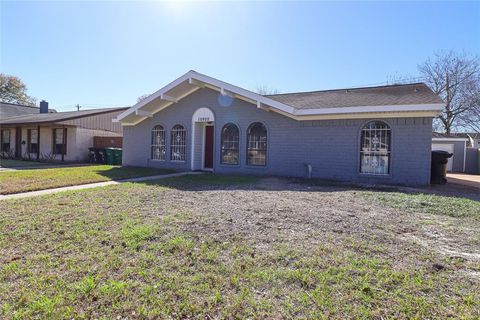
[64, 136]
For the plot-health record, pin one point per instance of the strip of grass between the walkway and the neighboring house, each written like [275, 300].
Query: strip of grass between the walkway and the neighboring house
[39, 179]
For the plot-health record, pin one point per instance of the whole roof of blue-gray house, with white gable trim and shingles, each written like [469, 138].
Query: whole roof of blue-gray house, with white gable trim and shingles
[388, 101]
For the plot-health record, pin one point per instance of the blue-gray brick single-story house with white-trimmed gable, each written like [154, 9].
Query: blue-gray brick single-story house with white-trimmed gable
[374, 135]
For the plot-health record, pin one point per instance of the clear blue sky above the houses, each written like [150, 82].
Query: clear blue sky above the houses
[100, 54]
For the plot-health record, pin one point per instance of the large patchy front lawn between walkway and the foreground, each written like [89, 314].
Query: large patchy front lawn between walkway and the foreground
[212, 247]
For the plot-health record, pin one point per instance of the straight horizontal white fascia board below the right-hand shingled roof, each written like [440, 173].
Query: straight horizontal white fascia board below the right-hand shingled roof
[362, 109]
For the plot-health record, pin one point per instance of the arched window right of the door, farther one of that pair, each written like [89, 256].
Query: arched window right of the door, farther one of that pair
[257, 144]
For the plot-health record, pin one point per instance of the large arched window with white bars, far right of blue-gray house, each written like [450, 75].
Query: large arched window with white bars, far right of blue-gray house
[375, 148]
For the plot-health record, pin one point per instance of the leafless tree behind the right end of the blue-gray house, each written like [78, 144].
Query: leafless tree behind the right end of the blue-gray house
[456, 79]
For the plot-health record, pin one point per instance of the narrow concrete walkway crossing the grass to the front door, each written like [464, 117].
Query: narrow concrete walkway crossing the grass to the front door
[92, 185]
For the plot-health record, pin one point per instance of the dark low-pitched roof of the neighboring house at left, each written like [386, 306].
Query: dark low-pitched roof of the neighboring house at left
[56, 116]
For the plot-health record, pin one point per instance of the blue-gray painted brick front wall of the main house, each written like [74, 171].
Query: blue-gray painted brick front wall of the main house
[330, 146]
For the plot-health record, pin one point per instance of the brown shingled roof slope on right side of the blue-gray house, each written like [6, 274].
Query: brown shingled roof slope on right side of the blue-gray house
[397, 94]
